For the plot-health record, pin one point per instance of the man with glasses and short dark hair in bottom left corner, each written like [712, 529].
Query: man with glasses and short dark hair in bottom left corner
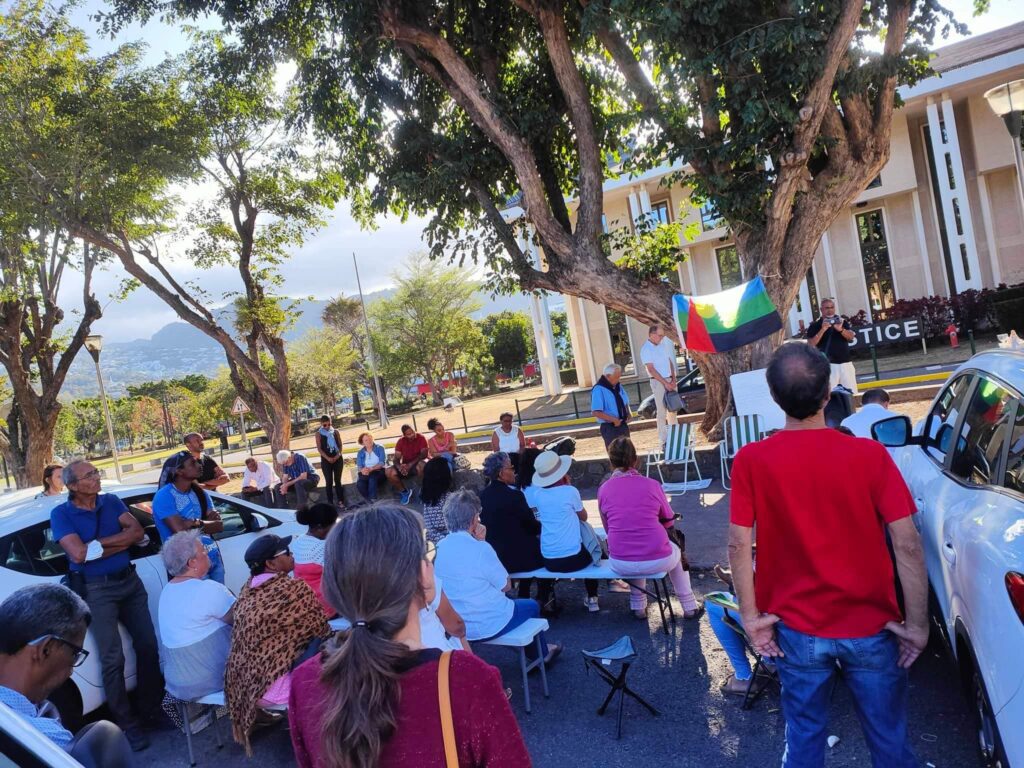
[45, 630]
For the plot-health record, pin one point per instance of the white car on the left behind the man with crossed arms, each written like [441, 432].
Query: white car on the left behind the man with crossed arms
[29, 556]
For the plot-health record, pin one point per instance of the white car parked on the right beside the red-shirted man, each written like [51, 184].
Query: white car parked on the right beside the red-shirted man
[965, 467]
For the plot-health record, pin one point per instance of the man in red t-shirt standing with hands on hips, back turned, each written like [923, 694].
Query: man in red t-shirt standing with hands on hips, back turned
[825, 600]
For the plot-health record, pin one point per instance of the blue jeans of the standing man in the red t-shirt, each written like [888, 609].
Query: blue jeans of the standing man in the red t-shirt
[878, 685]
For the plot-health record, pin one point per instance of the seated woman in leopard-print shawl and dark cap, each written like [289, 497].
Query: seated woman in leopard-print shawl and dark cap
[279, 623]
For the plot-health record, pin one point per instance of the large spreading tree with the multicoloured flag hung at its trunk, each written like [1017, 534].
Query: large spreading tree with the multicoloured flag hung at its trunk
[783, 111]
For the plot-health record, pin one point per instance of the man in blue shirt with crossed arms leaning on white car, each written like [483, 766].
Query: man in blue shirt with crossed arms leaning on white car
[97, 531]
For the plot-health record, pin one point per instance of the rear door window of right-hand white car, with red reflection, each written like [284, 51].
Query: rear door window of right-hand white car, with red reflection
[984, 434]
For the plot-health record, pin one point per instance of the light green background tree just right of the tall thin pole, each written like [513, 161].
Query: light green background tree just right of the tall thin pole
[428, 320]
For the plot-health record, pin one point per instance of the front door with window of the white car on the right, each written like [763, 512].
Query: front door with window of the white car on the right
[923, 466]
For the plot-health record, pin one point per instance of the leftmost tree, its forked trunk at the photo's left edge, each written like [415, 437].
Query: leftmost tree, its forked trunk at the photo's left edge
[39, 70]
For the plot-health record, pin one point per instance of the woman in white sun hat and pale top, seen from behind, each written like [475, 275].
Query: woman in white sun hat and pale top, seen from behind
[561, 511]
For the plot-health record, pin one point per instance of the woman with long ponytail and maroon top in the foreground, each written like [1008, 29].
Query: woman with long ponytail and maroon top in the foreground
[361, 701]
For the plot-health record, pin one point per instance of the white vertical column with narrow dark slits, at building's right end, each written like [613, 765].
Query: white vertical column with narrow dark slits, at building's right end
[953, 192]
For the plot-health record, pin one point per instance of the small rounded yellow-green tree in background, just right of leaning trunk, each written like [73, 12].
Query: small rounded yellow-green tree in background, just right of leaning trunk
[322, 364]
